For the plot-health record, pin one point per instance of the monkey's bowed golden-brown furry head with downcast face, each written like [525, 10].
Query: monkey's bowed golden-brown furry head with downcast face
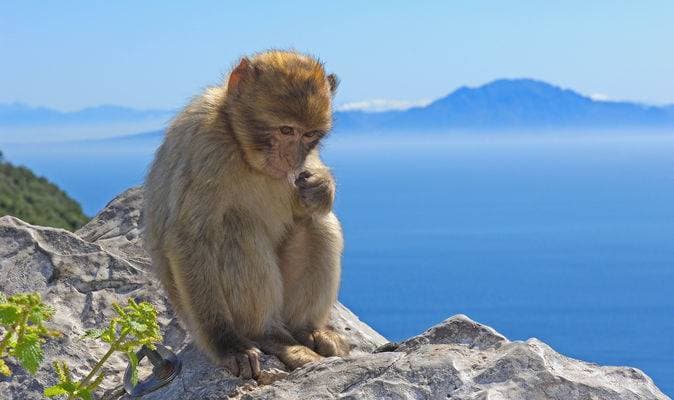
[279, 105]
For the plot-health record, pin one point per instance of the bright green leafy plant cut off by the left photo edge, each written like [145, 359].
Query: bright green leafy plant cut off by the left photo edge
[22, 318]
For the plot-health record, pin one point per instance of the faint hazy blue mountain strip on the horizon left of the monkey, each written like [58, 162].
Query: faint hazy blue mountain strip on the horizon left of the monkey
[18, 114]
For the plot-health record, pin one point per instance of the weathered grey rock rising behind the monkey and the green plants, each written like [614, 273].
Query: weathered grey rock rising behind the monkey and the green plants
[82, 274]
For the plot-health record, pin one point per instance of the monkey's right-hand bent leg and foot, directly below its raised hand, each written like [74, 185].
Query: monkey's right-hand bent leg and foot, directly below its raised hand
[311, 267]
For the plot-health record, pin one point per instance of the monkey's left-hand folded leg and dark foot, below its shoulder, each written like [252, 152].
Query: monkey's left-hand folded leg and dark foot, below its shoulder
[231, 289]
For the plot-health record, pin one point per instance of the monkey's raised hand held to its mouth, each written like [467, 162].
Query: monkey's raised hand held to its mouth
[316, 190]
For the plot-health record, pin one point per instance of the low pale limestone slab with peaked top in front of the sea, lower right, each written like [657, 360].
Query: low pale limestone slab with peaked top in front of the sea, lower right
[462, 359]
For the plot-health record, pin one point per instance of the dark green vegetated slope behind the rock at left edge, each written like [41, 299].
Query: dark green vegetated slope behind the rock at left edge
[36, 200]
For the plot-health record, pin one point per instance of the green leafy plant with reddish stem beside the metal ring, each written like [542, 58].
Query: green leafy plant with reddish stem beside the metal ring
[134, 326]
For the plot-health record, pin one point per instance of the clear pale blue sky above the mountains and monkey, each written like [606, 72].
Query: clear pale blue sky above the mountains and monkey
[157, 54]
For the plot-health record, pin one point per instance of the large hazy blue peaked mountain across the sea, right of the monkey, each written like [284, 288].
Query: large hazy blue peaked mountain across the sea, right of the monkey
[512, 104]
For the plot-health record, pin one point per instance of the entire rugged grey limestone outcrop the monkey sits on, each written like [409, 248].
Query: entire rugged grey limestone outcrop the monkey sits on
[82, 274]
